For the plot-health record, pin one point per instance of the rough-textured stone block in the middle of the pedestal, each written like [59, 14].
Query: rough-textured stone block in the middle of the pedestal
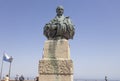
[60, 67]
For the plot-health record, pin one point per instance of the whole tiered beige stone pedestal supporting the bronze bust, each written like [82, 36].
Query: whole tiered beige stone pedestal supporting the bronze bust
[56, 64]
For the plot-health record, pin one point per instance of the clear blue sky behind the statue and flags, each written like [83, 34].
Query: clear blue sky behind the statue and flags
[95, 49]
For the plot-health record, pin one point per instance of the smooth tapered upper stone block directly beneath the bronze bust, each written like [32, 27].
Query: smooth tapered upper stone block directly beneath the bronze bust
[56, 49]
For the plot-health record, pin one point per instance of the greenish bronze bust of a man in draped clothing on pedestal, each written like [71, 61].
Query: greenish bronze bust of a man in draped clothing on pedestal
[60, 27]
